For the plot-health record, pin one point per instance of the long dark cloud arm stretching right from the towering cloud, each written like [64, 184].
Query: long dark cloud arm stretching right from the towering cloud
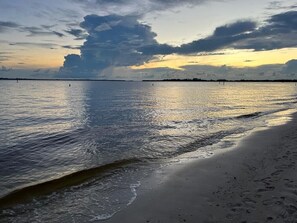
[279, 31]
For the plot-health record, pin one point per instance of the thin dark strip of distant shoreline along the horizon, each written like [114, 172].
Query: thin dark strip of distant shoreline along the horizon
[161, 80]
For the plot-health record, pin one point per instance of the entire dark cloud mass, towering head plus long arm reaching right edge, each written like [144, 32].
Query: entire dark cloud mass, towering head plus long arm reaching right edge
[115, 41]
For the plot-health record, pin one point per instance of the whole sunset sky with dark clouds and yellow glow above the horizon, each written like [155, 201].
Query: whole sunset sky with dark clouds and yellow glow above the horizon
[148, 39]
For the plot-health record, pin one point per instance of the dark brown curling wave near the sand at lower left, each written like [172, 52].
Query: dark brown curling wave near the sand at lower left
[27, 193]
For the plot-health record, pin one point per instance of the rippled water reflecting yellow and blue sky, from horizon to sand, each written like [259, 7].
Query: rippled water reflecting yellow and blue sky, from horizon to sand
[78, 153]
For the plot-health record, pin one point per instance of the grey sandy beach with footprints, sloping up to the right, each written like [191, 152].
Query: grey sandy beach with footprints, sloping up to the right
[255, 182]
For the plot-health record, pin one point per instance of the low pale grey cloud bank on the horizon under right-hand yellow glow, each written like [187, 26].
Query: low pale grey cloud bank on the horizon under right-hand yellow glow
[270, 71]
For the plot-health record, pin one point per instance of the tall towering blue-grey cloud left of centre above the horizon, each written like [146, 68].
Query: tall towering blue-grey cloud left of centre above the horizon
[116, 46]
